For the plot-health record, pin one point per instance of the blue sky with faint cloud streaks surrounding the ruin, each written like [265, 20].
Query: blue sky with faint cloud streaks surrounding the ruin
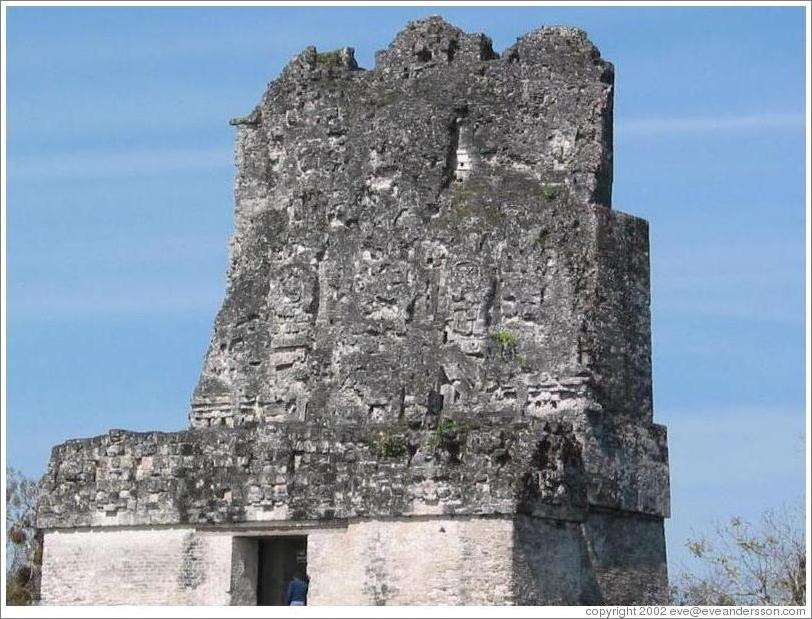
[119, 209]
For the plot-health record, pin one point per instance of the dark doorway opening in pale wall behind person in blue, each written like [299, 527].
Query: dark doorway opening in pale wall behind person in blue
[279, 559]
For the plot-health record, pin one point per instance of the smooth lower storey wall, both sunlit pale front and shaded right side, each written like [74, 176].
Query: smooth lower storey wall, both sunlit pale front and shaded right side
[607, 559]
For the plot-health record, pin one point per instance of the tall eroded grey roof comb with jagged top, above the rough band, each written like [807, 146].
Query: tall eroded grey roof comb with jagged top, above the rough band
[391, 224]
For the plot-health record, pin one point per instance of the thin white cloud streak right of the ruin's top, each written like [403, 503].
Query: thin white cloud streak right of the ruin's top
[644, 127]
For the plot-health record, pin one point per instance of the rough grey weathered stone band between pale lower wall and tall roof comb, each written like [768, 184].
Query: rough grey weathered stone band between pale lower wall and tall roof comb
[280, 472]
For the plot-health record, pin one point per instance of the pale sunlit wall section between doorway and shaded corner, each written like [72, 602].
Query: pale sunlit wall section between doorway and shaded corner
[414, 561]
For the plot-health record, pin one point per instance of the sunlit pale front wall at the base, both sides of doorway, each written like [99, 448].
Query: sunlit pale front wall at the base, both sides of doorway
[378, 562]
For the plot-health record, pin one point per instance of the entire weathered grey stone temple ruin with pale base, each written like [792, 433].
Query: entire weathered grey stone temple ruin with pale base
[430, 379]
